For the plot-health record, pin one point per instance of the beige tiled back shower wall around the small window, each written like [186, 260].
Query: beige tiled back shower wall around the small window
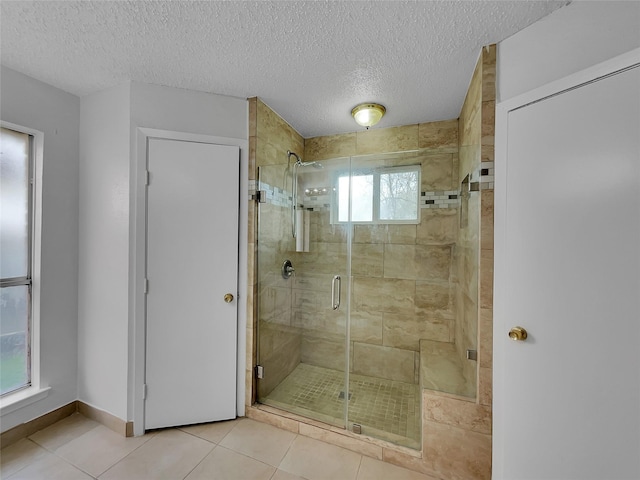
[403, 275]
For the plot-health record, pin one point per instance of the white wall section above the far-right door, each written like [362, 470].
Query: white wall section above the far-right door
[571, 39]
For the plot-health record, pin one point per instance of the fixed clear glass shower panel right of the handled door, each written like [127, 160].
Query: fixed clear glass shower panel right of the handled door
[386, 319]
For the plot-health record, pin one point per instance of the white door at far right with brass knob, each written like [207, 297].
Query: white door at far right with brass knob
[567, 399]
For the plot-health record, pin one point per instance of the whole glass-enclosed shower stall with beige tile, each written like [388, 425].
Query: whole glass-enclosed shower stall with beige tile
[358, 296]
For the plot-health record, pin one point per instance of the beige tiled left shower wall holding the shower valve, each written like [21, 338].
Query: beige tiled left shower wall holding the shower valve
[269, 139]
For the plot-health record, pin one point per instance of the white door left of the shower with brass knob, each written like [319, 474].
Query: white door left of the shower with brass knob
[192, 263]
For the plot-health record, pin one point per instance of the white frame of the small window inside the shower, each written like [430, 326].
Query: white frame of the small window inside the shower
[377, 172]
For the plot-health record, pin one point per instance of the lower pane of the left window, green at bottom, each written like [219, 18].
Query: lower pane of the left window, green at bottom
[14, 338]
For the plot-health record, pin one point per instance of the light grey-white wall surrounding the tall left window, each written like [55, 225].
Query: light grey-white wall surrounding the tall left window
[33, 104]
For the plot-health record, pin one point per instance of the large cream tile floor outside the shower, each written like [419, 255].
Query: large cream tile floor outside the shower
[242, 449]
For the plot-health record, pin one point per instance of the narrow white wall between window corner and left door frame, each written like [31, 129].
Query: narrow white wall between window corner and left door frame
[104, 250]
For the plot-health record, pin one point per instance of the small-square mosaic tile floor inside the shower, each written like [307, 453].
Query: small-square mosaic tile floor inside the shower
[386, 409]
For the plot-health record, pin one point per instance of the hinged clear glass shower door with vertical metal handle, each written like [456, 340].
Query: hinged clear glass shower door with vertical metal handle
[301, 338]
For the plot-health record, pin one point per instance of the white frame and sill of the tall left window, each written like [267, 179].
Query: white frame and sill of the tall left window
[20, 398]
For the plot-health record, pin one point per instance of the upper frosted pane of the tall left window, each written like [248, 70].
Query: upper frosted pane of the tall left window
[14, 198]
